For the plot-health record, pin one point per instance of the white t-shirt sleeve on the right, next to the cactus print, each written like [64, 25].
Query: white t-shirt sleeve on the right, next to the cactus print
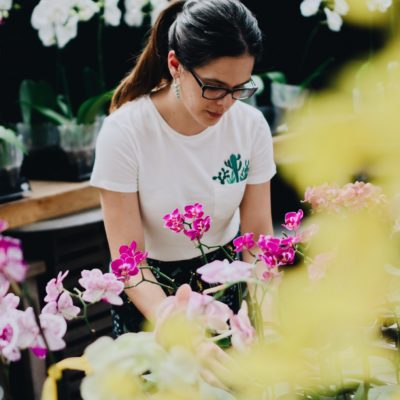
[262, 166]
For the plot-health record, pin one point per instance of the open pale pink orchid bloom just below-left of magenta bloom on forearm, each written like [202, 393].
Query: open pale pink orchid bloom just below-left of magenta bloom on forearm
[99, 286]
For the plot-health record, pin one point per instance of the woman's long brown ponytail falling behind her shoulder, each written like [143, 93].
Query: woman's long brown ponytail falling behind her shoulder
[151, 68]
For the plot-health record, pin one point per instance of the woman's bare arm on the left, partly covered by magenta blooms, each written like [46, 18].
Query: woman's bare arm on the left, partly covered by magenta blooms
[123, 224]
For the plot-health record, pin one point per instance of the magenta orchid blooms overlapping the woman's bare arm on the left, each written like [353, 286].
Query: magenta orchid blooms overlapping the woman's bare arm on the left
[127, 264]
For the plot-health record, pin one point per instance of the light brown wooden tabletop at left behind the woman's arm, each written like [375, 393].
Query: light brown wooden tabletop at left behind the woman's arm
[48, 200]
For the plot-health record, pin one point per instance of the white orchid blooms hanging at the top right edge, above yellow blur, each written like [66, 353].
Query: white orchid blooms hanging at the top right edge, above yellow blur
[335, 10]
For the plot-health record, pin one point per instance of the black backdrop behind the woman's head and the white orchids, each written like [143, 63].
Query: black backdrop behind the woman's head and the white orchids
[23, 56]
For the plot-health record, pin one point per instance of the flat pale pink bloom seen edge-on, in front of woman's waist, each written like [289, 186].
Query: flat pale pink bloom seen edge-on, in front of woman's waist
[223, 271]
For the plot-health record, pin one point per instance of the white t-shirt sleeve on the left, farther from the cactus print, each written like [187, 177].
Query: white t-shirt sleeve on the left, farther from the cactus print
[115, 166]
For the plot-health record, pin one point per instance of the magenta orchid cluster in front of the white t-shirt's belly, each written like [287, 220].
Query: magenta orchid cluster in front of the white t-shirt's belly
[191, 222]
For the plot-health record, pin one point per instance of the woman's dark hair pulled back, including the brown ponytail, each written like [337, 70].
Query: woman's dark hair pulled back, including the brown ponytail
[199, 31]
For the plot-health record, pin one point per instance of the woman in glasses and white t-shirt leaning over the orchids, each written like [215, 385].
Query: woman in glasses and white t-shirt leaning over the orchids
[177, 135]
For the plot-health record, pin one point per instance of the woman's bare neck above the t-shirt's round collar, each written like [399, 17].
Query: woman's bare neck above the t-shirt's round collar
[173, 111]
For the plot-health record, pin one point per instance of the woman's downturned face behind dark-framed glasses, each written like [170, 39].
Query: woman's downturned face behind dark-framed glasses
[224, 72]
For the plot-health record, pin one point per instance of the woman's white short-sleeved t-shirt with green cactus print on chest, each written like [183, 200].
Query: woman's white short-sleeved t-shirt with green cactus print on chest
[137, 151]
